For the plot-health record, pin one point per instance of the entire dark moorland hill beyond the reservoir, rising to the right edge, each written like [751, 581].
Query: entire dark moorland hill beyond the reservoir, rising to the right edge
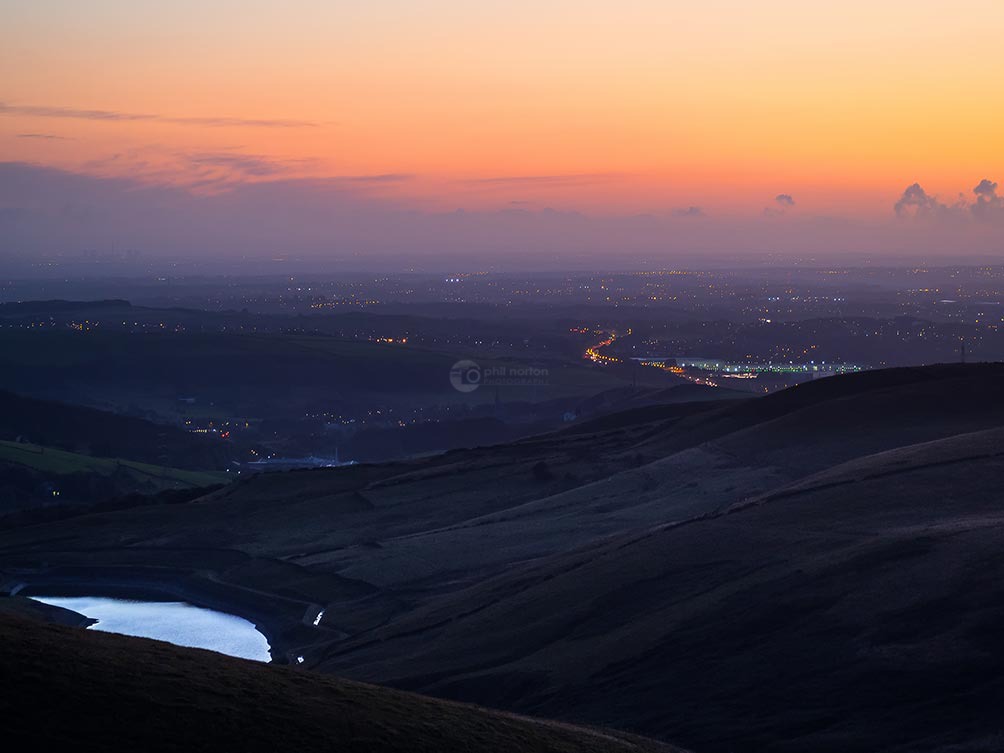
[818, 570]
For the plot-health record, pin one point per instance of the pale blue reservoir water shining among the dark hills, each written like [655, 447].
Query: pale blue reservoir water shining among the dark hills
[174, 622]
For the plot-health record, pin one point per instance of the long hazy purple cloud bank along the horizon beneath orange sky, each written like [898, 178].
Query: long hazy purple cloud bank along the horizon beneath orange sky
[46, 211]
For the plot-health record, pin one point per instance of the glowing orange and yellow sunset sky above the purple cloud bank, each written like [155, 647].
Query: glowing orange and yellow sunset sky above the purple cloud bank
[640, 106]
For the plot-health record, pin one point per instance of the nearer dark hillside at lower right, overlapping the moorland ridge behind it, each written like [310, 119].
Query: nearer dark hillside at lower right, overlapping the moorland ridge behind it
[859, 609]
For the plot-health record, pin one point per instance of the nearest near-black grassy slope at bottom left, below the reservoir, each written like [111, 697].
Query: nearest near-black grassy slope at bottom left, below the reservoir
[66, 688]
